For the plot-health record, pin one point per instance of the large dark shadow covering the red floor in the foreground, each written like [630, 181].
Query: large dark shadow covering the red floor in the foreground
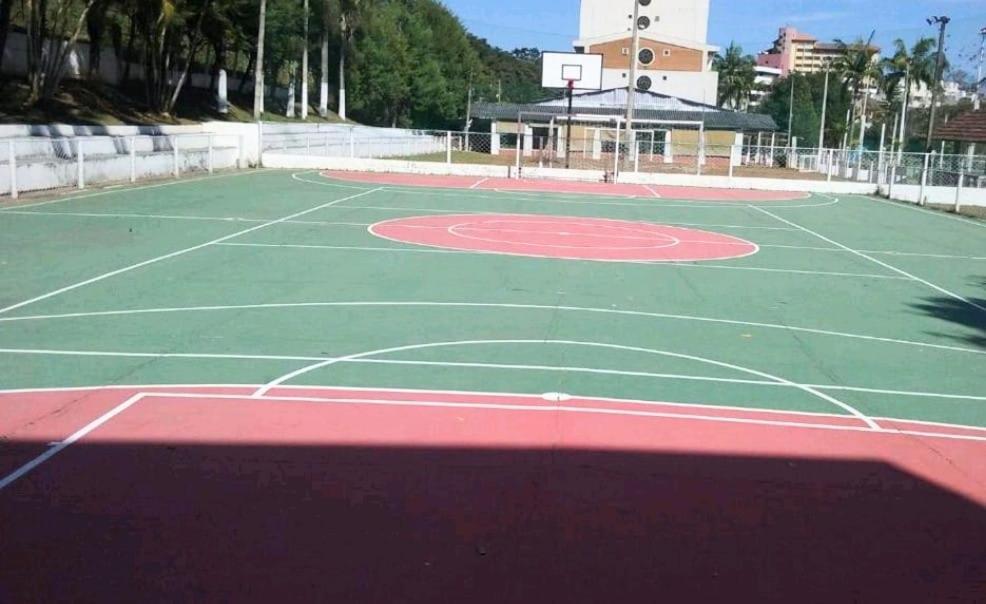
[351, 524]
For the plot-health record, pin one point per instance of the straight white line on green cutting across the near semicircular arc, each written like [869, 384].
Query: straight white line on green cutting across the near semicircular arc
[493, 366]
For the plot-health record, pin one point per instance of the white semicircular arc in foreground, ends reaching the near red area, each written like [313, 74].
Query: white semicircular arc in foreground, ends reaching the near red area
[817, 393]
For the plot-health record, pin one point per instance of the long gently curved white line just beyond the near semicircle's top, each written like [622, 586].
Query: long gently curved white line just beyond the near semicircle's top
[426, 304]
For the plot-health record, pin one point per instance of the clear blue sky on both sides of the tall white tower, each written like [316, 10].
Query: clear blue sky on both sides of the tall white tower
[553, 24]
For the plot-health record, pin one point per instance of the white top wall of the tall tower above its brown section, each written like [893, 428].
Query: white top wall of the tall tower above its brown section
[687, 19]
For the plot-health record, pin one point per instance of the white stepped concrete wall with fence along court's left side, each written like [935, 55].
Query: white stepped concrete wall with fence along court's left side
[46, 163]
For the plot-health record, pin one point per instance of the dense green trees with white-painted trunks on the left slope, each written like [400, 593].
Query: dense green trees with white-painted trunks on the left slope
[403, 62]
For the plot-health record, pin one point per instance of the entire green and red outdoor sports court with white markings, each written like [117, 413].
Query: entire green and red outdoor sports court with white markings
[282, 384]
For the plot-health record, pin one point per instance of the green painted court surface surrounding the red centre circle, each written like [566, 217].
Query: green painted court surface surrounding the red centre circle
[244, 278]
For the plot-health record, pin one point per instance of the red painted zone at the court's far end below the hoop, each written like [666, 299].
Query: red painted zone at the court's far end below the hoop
[507, 185]
